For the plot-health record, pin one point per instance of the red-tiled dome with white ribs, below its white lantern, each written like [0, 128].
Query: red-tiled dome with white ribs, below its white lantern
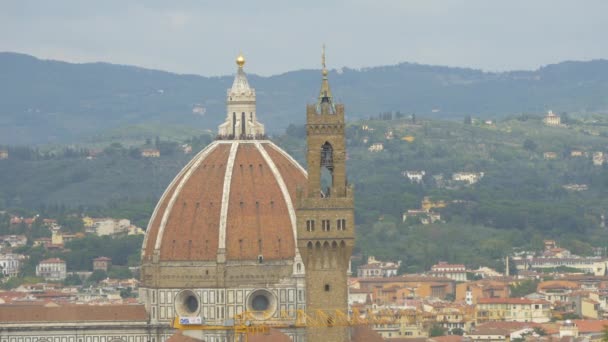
[232, 202]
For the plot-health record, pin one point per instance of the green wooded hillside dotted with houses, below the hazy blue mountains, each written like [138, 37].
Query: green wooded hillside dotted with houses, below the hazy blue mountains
[522, 198]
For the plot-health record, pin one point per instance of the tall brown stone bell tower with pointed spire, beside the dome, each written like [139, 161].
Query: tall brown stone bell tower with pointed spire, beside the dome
[325, 214]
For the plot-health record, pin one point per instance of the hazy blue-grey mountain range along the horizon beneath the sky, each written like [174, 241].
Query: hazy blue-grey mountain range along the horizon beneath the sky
[45, 101]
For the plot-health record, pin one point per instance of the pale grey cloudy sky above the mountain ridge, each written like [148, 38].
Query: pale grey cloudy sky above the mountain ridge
[203, 37]
